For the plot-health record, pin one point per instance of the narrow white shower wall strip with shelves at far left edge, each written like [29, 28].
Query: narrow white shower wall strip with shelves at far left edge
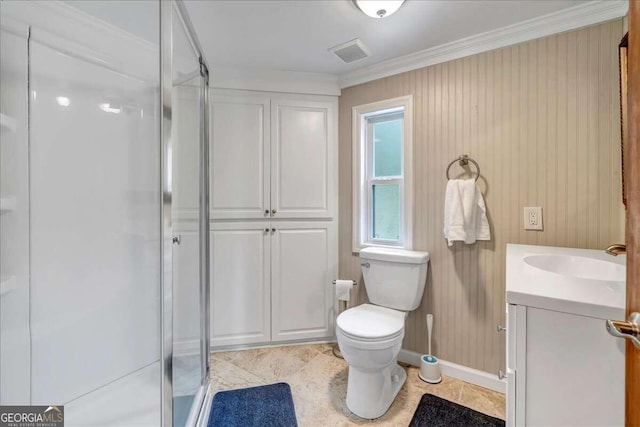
[14, 222]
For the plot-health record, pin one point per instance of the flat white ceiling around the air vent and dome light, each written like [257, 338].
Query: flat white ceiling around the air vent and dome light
[295, 35]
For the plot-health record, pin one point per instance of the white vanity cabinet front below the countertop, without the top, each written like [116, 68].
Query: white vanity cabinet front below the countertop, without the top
[563, 370]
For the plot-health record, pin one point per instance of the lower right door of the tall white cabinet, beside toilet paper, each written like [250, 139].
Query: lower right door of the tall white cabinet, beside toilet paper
[303, 266]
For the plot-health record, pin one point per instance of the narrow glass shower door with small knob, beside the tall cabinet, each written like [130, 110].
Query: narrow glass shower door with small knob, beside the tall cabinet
[190, 218]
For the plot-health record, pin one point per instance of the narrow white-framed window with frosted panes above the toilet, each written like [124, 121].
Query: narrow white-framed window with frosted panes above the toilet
[382, 159]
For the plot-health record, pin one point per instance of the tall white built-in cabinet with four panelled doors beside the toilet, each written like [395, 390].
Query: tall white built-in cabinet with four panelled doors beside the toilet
[274, 220]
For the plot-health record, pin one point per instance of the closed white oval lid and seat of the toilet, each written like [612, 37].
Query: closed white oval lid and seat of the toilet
[371, 321]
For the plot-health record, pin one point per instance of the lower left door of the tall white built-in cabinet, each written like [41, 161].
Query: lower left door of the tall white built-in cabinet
[240, 291]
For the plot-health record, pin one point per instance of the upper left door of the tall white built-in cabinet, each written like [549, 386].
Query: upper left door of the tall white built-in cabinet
[240, 155]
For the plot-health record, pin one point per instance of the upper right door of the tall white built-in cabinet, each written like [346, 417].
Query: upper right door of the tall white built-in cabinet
[302, 158]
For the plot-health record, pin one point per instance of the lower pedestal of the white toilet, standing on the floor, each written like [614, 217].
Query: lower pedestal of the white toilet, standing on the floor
[371, 393]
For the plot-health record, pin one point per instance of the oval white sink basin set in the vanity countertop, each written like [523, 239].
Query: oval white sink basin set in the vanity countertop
[578, 267]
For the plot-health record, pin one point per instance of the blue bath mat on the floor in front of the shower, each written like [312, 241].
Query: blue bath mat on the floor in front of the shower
[263, 406]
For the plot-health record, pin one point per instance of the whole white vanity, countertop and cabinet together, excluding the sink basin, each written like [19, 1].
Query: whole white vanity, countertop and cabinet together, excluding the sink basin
[563, 368]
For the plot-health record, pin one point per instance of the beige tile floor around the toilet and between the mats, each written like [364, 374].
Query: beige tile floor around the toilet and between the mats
[319, 385]
